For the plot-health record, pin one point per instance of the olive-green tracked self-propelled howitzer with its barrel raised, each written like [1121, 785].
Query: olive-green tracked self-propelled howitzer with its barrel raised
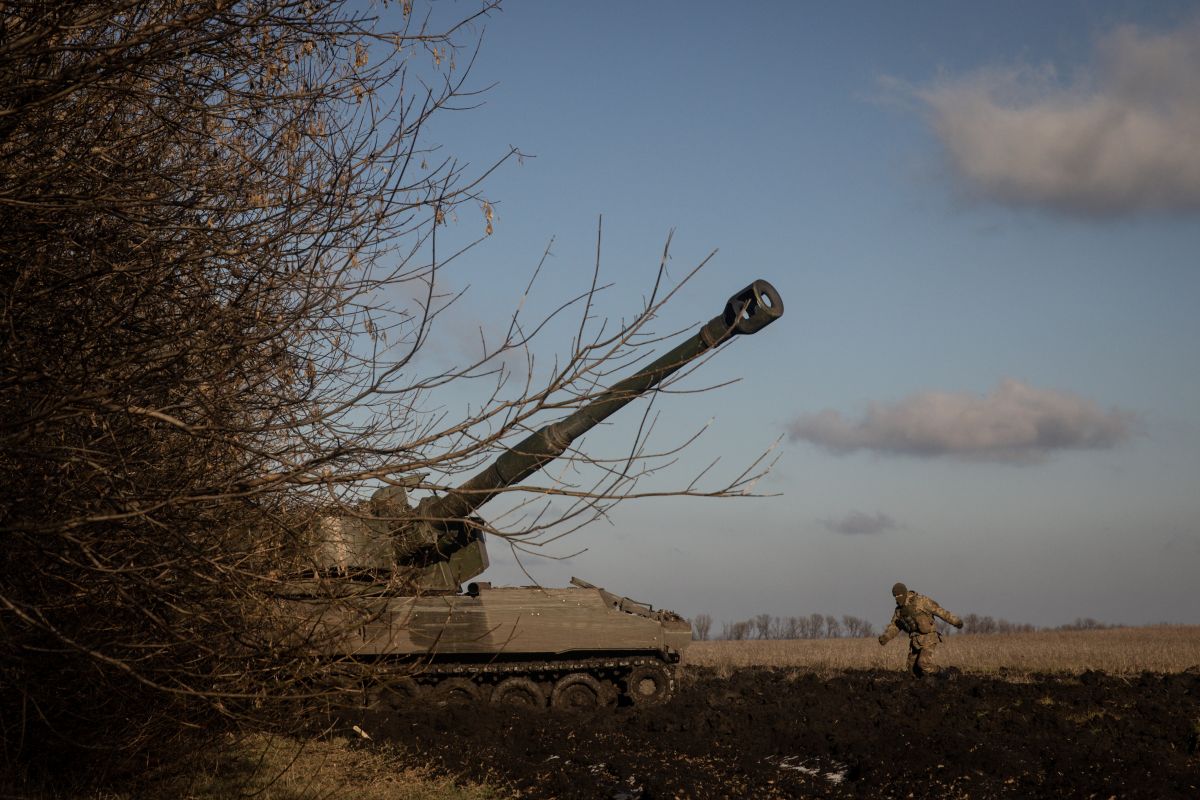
[568, 647]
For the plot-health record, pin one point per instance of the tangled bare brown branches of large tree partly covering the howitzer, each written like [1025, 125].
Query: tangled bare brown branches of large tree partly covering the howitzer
[220, 260]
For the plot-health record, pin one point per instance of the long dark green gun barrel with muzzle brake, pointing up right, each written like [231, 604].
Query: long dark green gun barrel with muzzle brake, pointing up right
[747, 312]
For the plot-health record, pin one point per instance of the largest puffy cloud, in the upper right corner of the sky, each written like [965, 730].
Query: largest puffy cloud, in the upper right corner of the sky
[1119, 139]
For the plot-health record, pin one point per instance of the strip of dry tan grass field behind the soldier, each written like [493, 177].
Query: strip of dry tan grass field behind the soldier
[1124, 651]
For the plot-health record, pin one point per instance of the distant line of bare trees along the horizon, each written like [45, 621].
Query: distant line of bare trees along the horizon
[827, 627]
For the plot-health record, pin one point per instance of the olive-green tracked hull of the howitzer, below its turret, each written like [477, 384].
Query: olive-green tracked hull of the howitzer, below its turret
[568, 648]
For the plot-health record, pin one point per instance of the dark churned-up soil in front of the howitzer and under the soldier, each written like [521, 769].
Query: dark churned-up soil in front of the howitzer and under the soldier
[776, 733]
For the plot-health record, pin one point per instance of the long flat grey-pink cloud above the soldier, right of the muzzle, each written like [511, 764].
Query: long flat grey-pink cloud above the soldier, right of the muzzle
[1016, 424]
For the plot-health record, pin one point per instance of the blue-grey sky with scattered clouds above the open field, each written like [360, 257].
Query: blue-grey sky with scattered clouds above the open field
[985, 222]
